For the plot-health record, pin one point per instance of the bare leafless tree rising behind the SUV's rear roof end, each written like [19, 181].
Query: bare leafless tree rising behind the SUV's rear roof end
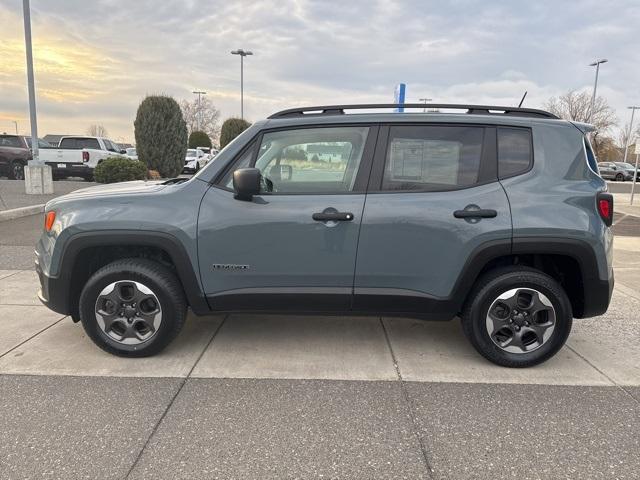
[576, 106]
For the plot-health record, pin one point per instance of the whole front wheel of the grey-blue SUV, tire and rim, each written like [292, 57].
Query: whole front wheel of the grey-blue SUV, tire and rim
[133, 307]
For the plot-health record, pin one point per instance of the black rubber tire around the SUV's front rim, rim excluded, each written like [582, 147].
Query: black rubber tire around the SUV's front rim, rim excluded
[164, 285]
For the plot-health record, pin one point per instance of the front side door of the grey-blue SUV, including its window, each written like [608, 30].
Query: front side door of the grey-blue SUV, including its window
[294, 245]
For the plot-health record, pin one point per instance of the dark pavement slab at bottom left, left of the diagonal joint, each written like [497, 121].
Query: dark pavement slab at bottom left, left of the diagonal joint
[77, 427]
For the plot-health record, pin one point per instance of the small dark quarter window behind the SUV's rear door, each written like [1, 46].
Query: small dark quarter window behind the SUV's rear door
[514, 151]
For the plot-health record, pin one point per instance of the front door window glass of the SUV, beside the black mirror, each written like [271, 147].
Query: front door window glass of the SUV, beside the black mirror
[311, 160]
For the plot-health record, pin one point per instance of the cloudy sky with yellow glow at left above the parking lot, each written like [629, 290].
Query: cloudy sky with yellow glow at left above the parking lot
[95, 60]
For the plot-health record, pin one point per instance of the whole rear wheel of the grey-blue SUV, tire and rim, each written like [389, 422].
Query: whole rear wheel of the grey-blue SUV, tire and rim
[517, 317]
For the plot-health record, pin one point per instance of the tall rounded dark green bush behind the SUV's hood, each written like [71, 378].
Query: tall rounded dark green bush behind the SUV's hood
[161, 135]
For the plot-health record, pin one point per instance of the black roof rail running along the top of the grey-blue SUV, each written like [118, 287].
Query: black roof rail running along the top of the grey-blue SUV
[470, 109]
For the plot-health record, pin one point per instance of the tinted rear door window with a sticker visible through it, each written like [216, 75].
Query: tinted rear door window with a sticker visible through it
[432, 158]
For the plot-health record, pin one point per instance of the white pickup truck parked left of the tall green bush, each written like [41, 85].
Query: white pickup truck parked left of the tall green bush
[78, 156]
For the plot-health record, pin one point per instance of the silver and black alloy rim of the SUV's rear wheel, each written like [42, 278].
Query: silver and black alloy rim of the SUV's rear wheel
[521, 320]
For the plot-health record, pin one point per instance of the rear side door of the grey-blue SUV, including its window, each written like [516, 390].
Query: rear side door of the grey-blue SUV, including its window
[434, 203]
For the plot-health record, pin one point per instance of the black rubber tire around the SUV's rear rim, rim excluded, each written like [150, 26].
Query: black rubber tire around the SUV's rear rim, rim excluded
[497, 282]
